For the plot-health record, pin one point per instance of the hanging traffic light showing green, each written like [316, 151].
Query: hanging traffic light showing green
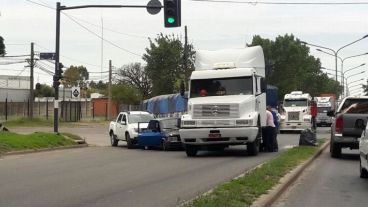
[172, 13]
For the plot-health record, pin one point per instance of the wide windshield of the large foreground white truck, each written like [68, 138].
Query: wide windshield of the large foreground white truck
[221, 86]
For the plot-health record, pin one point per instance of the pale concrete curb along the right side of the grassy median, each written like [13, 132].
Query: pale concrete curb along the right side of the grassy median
[285, 182]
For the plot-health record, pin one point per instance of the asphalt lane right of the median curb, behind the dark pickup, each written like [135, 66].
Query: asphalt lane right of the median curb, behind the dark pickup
[329, 182]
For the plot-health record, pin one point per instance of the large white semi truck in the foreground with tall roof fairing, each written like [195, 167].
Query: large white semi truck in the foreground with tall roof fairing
[226, 101]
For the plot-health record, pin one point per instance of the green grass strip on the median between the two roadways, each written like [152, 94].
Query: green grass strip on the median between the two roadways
[245, 190]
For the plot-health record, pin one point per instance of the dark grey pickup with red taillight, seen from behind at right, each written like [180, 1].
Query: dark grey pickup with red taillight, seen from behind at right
[350, 119]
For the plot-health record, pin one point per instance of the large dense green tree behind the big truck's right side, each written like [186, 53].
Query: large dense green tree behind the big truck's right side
[293, 68]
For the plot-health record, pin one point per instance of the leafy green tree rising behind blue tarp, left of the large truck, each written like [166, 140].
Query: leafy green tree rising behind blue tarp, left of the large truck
[165, 63]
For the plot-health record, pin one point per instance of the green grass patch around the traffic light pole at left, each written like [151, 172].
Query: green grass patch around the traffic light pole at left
[14, 142]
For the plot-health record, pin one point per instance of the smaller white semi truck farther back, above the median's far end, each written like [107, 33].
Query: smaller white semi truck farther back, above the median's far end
[297, 114]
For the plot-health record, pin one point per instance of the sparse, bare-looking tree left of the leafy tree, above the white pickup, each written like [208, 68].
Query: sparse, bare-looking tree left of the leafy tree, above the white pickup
[135, 75]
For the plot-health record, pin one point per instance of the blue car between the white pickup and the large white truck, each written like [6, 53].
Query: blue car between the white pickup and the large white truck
[162, 133]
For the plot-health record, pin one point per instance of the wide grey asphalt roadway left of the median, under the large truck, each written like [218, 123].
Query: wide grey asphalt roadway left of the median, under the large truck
[108, 176]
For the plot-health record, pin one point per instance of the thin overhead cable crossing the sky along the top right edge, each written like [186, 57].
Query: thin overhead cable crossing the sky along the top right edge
[283, 3]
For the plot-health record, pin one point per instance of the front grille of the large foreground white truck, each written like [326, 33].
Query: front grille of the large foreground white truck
[216, 111]
